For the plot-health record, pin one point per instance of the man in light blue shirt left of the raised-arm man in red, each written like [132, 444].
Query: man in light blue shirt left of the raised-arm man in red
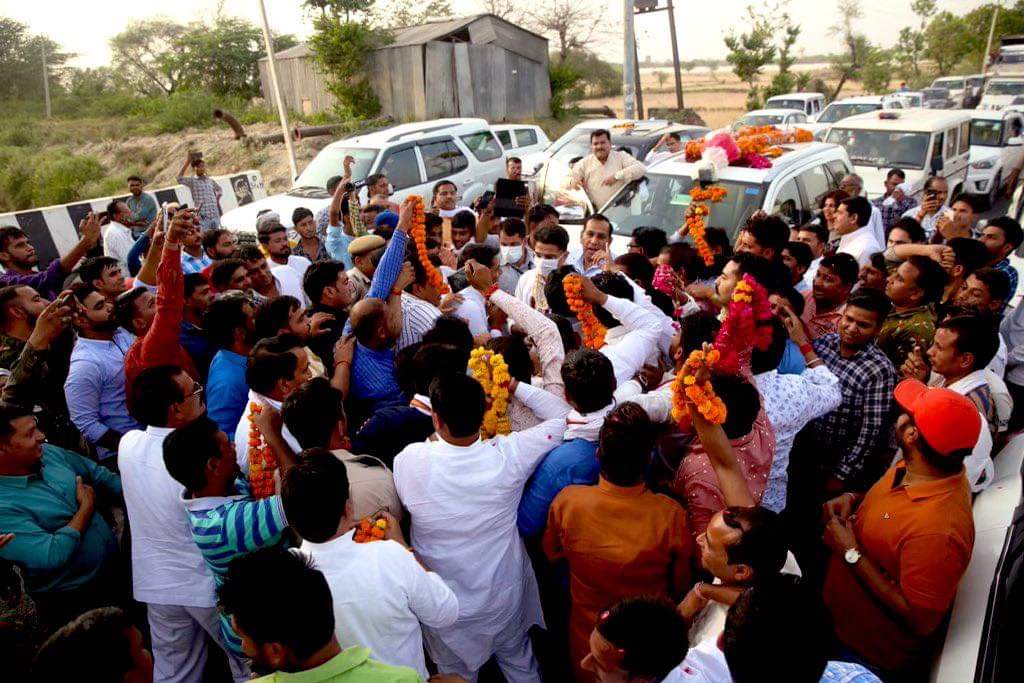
[96, 386]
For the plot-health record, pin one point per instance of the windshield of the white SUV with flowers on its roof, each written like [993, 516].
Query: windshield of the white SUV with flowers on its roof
[661, 201]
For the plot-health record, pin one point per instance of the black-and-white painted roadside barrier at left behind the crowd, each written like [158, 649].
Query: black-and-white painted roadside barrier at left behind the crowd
[54, 230]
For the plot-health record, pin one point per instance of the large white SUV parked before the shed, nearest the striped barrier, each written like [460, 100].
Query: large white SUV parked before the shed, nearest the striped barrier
[414, 156]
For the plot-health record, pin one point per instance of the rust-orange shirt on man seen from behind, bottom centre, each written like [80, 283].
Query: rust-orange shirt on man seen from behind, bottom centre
[620, 542]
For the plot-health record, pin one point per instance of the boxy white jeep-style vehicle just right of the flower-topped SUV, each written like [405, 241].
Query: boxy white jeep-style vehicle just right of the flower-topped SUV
[922, 143]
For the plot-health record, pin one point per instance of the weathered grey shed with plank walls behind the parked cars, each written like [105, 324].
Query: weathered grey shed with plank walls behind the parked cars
[478, 66]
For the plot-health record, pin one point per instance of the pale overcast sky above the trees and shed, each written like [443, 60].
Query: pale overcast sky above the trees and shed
[84, 28]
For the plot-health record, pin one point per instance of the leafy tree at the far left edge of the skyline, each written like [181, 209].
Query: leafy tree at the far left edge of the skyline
[22, 62]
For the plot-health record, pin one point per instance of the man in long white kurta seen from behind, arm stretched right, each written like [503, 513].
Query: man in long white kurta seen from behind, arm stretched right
[463, 494]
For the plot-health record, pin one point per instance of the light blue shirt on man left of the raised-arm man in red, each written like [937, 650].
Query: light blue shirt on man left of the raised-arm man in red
[96, 388]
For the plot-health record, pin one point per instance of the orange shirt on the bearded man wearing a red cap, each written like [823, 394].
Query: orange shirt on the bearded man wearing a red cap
[921, 536]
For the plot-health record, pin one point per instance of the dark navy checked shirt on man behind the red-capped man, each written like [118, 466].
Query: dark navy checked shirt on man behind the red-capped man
[861, 425]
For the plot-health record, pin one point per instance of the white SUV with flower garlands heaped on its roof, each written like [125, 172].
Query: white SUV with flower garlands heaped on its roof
[791, 188]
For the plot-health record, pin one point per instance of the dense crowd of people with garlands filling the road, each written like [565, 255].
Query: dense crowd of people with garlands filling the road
[381, 446]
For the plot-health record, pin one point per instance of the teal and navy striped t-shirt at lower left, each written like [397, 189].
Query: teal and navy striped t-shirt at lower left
[228, 528]
